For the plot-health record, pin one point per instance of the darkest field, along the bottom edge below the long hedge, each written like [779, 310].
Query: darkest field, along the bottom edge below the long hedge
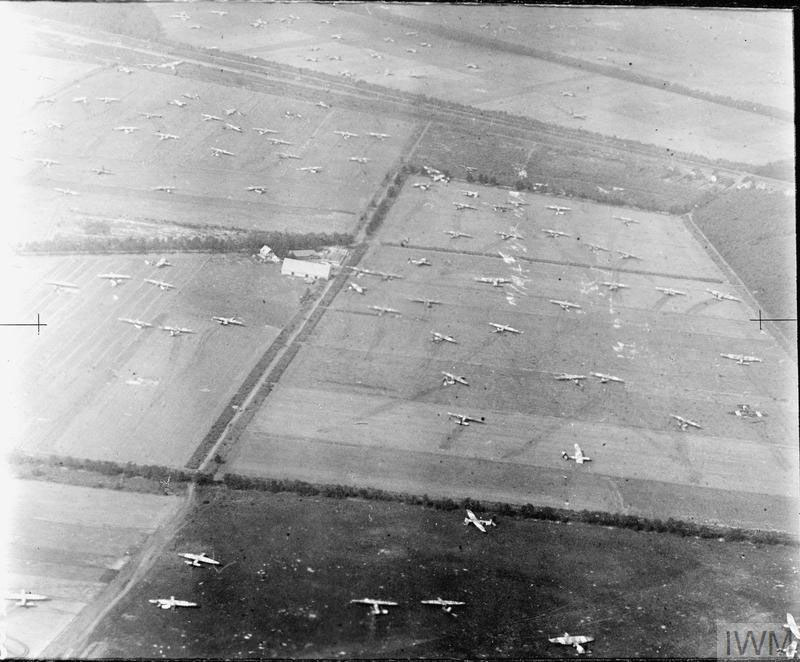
[290, 566]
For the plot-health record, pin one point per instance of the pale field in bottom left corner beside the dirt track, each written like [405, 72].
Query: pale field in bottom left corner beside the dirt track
[68, 543]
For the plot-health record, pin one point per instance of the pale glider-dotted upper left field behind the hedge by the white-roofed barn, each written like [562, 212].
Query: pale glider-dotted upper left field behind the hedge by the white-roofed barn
[171, 147]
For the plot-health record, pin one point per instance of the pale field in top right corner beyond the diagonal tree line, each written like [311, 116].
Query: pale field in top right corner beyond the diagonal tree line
[676, 45]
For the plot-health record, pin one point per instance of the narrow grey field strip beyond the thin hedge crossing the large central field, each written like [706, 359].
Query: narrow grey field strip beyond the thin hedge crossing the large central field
[661, 243]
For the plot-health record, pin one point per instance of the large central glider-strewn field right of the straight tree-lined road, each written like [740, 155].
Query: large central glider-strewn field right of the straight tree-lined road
[363, 402]
